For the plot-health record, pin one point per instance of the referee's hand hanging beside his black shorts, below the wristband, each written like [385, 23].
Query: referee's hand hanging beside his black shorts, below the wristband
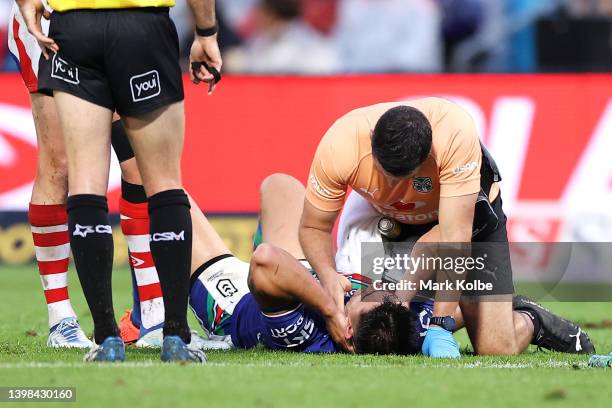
[205, 50]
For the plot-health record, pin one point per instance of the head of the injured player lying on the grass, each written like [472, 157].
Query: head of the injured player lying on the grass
[382, 327]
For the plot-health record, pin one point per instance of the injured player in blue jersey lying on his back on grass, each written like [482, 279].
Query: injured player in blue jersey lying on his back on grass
[276, 301]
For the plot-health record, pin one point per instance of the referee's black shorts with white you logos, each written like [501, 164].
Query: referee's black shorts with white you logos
[125, 60]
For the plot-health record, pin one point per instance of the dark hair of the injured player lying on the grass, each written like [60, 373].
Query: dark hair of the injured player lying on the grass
[389, 328]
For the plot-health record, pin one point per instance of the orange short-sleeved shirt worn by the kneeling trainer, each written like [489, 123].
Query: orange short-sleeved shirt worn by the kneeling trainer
[344, 159]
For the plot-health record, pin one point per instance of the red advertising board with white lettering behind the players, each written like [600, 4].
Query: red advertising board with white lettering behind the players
[547, 132]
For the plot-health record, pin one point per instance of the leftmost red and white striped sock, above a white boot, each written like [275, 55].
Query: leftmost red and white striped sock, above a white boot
[52, 245]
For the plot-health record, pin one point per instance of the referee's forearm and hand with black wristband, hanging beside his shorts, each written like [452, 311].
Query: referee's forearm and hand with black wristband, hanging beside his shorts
[205, 48]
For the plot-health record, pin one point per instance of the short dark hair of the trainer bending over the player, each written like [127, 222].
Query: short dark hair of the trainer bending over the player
[401, 140]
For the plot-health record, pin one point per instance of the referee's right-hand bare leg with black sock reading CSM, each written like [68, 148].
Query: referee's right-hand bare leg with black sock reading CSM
[157, 139]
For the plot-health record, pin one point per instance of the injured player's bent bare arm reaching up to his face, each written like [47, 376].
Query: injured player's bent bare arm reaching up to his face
[278, 281]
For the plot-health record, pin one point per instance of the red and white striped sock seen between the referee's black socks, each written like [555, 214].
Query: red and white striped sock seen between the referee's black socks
[135, 227]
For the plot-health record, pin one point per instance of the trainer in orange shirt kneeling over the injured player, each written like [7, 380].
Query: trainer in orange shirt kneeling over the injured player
[419, 162]
